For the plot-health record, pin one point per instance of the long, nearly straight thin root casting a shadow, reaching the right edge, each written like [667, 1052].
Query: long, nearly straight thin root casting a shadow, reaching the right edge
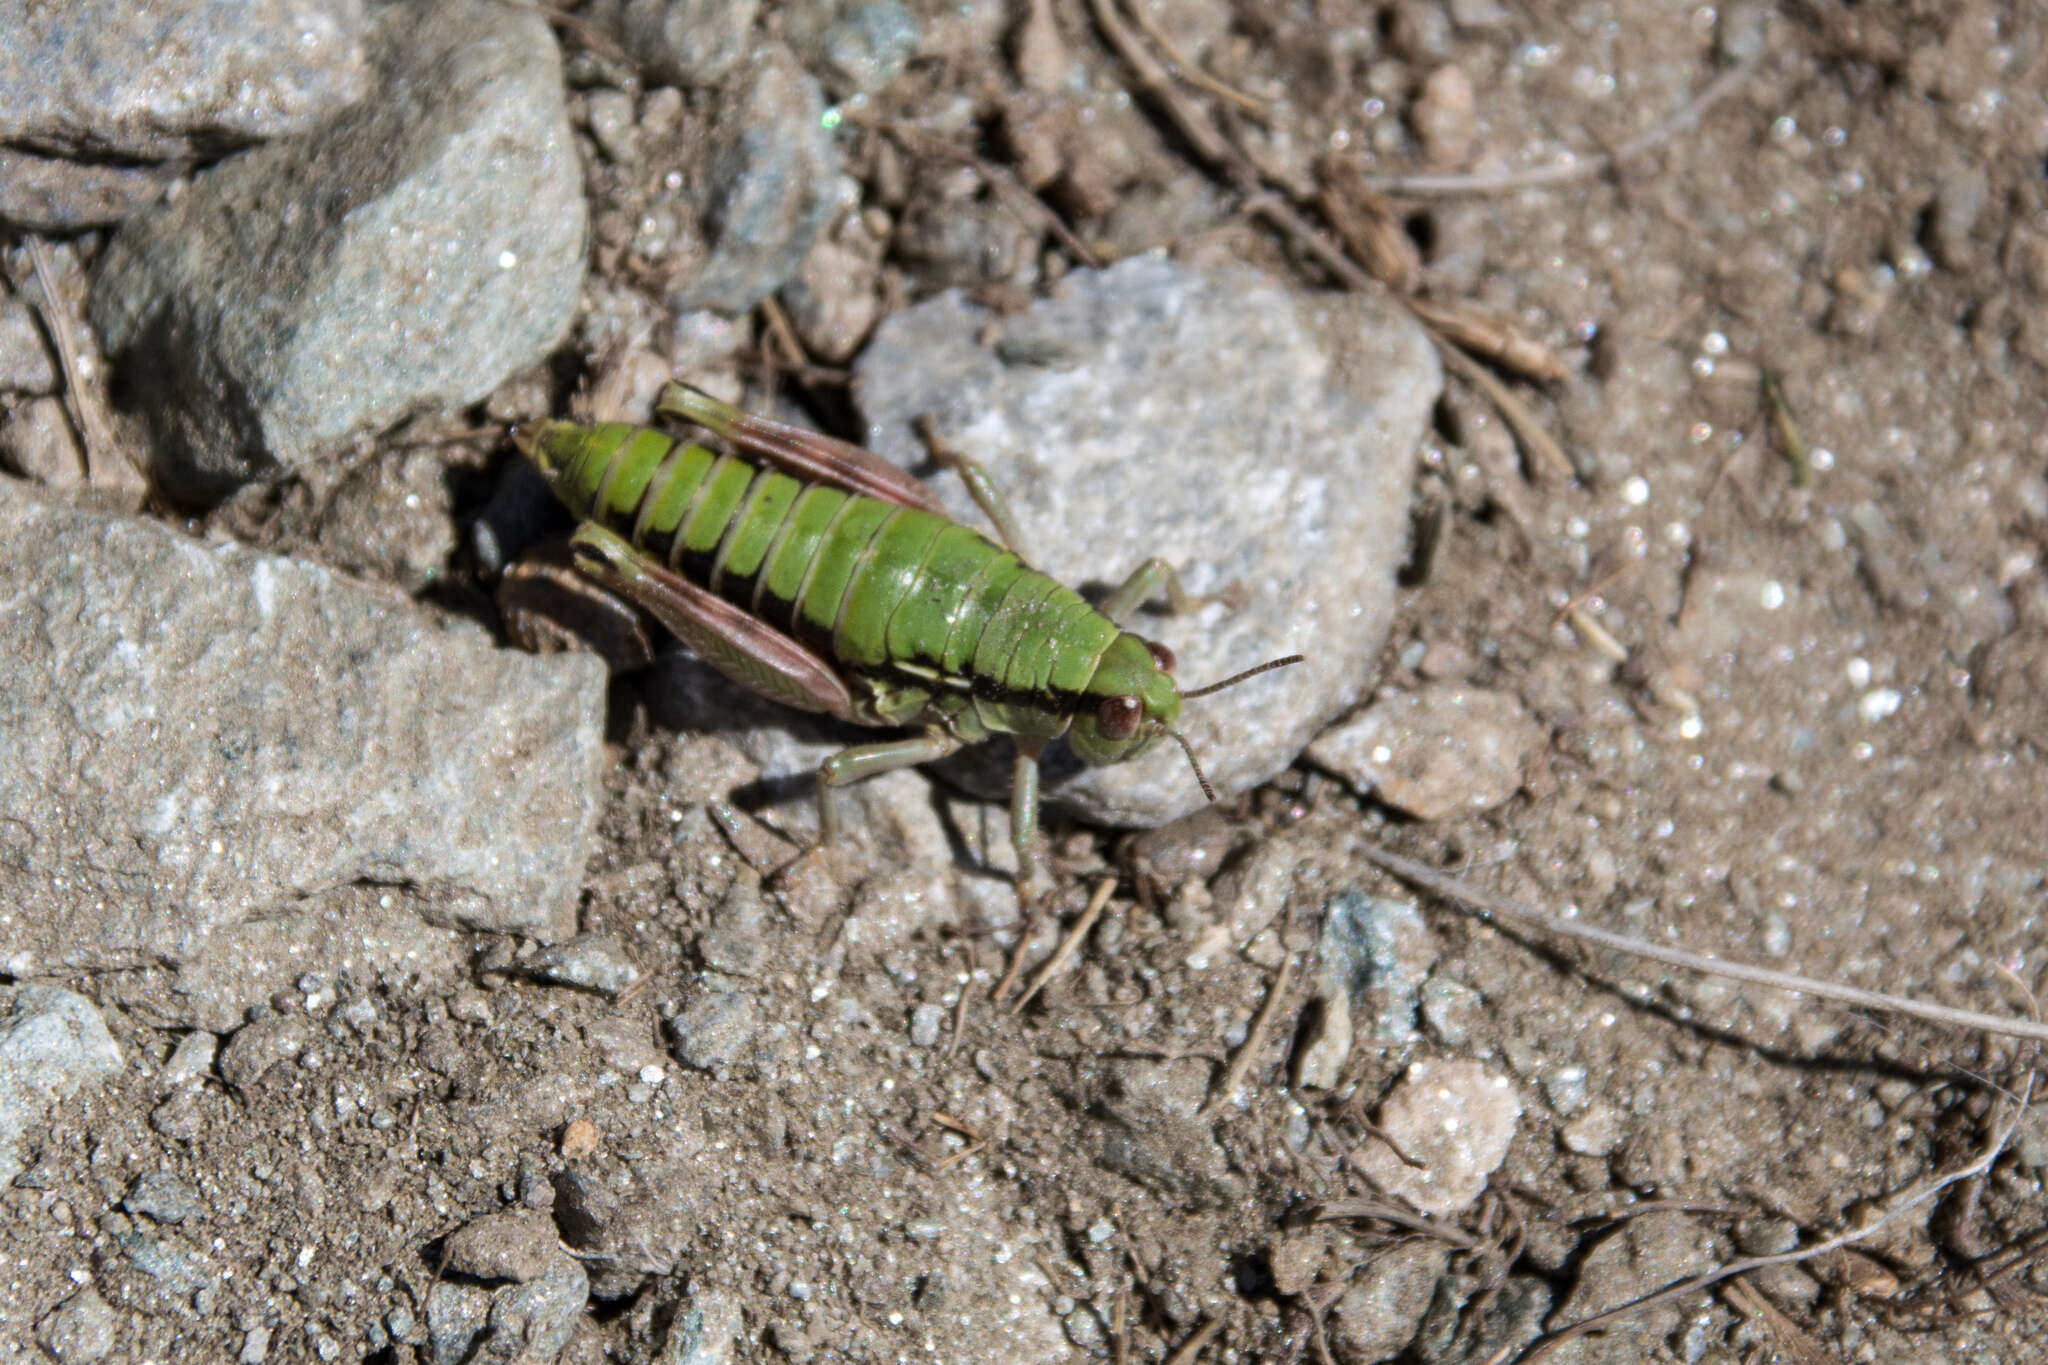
[1517, 914]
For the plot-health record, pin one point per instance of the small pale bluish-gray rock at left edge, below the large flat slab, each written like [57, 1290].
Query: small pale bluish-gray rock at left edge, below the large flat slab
[52, 1045]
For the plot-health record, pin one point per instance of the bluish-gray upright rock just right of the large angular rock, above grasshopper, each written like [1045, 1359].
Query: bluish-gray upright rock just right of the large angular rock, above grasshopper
[769, 191]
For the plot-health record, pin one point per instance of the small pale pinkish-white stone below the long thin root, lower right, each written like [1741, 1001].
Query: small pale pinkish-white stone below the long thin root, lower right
[1457, 1120]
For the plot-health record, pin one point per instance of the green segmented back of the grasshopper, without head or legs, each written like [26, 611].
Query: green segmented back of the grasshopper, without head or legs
[865, 582]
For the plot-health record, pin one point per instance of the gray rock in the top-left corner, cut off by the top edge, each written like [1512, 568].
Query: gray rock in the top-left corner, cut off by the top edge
[108, 79]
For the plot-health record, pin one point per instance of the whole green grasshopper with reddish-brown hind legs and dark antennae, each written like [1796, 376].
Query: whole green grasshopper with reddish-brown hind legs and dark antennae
[824, 578]
